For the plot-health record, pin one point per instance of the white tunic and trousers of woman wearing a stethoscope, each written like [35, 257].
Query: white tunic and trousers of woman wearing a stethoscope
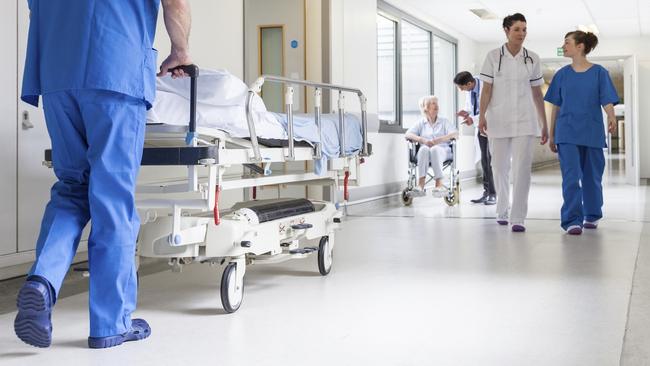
[512, 125]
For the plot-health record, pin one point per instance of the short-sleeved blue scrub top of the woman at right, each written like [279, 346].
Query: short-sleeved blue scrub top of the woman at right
[580, 96]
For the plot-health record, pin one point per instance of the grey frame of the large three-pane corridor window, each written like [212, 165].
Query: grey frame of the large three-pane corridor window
[392, 13]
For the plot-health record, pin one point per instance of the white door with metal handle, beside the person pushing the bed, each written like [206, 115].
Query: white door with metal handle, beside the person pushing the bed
[34, 180]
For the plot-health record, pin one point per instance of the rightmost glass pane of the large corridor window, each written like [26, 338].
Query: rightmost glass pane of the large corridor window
[444, 70]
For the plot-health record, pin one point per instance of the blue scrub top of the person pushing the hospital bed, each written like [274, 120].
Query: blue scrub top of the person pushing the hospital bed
[91, 44]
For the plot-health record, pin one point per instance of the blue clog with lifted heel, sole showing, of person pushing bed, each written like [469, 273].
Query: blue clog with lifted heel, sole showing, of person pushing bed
[33, 323]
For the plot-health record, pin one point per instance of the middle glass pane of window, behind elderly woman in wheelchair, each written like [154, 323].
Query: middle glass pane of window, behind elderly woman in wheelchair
[416, 71]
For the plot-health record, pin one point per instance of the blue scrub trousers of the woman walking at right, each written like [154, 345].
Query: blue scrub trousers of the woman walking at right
[582, 189]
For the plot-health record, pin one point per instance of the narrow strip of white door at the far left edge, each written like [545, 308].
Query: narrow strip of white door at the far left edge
[8, 129]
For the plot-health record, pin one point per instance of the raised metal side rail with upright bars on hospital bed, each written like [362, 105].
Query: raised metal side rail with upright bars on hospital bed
[256, 87]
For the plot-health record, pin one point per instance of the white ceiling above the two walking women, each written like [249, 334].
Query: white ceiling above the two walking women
[547, 19]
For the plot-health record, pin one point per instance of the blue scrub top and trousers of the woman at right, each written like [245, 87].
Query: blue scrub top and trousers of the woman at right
[580, 139]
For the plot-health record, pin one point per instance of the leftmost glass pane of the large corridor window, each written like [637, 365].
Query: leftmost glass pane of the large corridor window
[386, 69]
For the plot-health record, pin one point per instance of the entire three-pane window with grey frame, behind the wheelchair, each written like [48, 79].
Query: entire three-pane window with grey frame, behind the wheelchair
[414, 59]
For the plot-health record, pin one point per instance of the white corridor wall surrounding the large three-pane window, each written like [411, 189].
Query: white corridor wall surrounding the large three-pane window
[354, 63]
